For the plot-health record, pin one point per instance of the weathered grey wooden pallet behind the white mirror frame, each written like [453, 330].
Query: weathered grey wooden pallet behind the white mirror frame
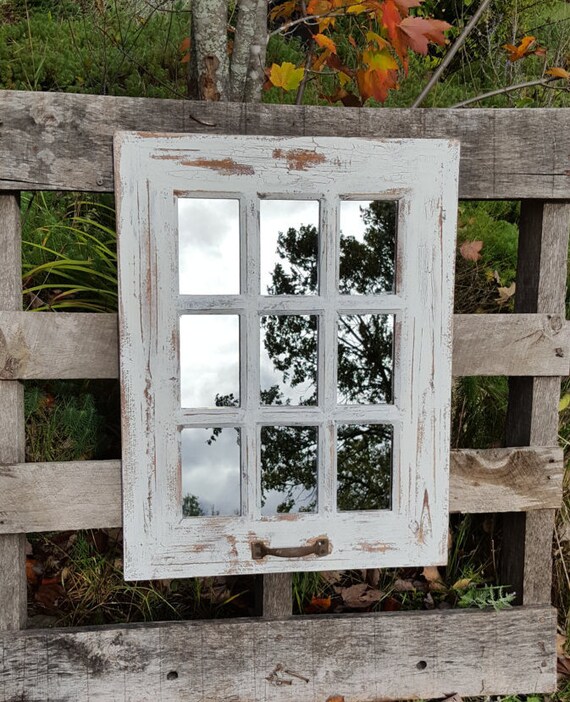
[63, 142]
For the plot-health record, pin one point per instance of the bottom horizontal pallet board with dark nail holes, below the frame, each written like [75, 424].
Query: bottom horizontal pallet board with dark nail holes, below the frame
[356, 658]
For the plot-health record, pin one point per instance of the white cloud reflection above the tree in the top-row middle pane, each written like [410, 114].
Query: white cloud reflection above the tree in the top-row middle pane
[278, 216]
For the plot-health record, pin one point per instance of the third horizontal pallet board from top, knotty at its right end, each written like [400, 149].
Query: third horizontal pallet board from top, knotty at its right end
[87, 494]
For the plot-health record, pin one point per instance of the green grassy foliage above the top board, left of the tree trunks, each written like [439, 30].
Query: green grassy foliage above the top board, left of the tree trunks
[108, 51]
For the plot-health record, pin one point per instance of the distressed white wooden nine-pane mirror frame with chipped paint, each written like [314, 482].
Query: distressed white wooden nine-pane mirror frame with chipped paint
[151, 172]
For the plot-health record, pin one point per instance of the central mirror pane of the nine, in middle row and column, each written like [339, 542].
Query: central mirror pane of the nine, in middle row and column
[288, 359]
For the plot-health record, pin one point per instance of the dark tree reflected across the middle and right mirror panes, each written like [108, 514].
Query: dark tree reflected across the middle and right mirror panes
[364, 364]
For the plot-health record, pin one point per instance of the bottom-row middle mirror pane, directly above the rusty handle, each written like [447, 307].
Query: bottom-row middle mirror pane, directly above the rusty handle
[288, 469]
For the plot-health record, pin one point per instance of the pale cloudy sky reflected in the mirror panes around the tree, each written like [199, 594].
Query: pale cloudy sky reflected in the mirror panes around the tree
[209, 264]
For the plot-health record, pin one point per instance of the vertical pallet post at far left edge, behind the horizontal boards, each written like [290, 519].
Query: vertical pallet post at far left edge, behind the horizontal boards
[13, 592]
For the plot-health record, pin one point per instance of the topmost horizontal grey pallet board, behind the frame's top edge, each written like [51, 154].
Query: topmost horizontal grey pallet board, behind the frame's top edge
[52, 141]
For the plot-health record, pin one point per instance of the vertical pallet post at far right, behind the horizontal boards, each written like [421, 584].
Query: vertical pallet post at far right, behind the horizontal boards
[533, 402]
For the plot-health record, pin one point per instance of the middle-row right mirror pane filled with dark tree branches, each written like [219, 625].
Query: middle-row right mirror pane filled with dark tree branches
[365, 358]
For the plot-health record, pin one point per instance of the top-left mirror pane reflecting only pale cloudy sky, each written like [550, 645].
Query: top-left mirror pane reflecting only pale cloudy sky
[208, 246]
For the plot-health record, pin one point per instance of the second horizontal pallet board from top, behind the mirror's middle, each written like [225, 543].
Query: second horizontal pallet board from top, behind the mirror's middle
[58, 346]
